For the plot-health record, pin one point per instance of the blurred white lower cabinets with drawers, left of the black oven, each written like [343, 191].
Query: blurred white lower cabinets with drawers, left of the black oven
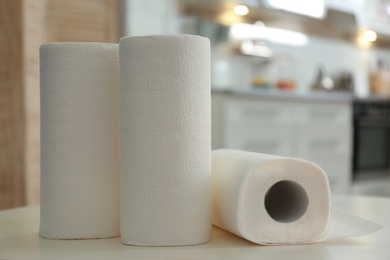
[318, 130]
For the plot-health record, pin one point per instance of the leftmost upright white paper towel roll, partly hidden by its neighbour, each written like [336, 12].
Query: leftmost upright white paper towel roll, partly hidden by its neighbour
[79, 140]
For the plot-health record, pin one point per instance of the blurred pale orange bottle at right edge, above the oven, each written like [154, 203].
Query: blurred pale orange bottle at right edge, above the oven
[380, 79]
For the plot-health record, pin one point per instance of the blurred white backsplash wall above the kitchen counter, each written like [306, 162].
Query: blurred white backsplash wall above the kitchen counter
[333, 55]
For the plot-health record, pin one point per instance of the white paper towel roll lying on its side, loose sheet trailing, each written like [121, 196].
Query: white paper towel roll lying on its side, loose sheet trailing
[271, 199]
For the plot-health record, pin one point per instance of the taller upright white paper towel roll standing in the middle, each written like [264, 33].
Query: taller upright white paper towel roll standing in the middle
[165, 140]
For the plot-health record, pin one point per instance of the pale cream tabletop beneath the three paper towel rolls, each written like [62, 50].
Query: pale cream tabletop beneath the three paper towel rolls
[19, 240]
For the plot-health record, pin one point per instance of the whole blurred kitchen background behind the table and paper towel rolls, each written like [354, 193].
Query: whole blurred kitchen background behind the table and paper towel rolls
[302, 78]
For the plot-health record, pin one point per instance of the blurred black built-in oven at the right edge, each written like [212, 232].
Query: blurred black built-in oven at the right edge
[371, 149]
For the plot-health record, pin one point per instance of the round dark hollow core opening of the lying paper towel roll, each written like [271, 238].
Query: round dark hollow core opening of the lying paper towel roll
[286, 201]
